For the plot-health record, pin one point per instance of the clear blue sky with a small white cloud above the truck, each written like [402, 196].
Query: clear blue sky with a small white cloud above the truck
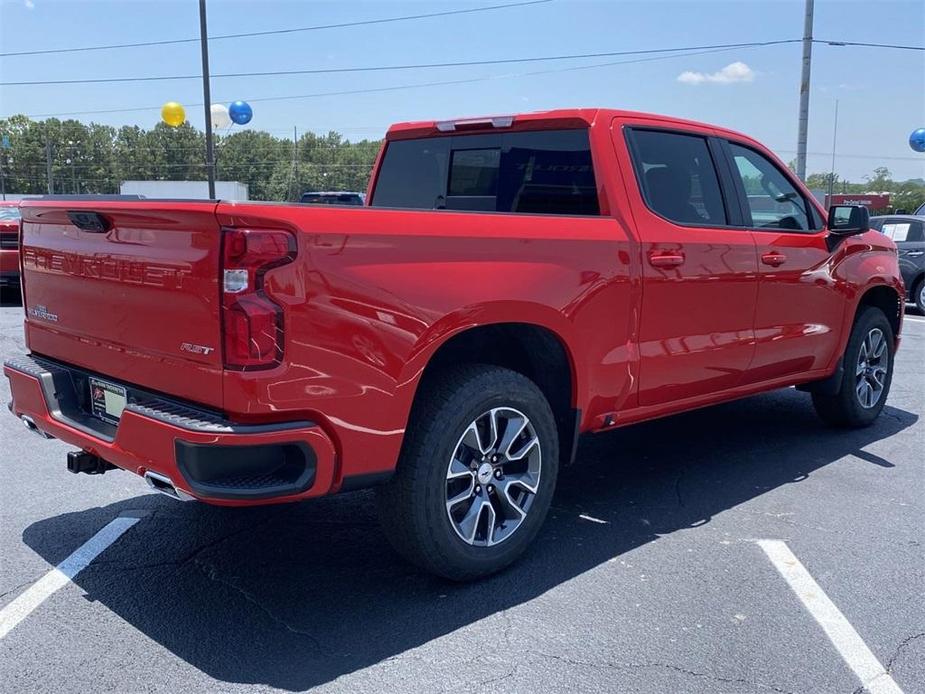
[881, 92]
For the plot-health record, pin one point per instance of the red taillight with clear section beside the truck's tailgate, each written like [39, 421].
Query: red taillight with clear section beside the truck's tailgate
[252, 323]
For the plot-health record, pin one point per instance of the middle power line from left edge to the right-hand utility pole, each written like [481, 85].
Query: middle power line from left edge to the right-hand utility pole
[418, 66]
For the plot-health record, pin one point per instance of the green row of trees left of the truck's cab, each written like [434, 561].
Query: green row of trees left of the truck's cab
[94, 158]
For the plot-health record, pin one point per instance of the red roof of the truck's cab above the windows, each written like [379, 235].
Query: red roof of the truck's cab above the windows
[537, 120]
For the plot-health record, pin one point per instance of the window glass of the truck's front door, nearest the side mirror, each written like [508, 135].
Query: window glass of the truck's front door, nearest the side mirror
[774, 202]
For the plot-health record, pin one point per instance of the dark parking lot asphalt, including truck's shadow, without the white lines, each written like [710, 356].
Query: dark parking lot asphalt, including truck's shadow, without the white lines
[647, 576]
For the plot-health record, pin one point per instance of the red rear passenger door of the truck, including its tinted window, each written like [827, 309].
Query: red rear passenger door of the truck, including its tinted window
[700, 274]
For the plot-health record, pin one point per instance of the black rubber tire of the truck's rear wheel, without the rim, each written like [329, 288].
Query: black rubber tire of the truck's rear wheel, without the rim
[413, 504]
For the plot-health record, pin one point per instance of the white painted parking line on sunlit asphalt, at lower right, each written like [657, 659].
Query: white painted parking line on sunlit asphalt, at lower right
[843, 636]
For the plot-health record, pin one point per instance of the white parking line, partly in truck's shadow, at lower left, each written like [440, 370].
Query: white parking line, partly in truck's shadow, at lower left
[61, 575]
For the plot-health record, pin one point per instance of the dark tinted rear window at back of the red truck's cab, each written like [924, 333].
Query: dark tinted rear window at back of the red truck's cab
[542, 172]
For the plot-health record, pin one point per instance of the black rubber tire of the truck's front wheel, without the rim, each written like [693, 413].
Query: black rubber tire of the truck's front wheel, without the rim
[846, 409]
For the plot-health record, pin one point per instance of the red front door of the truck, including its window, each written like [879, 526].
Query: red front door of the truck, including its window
[800, 310]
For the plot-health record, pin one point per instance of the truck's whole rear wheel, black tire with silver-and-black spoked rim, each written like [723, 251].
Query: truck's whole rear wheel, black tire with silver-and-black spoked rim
[476, 475]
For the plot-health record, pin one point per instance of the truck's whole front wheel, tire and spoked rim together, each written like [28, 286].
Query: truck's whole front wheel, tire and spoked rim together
[868, 372]
